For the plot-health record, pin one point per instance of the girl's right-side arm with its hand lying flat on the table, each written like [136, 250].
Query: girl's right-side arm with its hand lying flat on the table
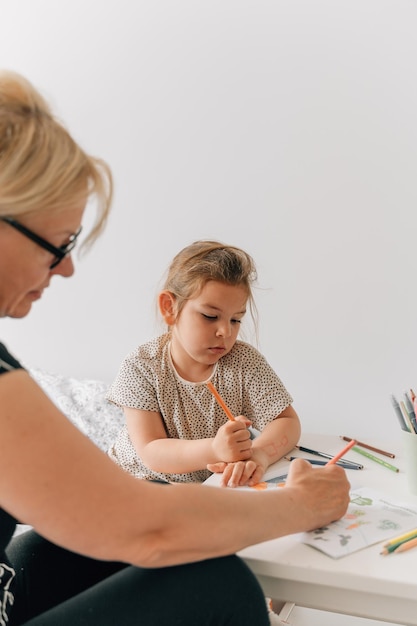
[277, 439]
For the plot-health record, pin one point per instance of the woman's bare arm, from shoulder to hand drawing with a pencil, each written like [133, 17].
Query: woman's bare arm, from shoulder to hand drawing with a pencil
[53, 478]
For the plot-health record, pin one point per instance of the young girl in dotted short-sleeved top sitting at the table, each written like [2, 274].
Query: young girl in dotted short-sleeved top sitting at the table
[175, 429]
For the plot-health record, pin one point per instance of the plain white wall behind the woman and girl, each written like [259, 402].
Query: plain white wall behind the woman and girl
[286, 127]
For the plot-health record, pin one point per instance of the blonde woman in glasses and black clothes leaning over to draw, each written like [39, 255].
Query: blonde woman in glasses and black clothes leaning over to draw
[104, 540]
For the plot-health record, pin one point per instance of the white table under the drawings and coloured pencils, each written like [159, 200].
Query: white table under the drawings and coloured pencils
[365, 583]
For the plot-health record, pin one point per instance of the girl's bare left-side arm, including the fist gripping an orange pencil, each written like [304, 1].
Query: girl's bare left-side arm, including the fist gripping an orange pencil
[165, 454]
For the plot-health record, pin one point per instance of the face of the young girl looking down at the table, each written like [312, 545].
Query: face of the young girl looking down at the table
[207, 329]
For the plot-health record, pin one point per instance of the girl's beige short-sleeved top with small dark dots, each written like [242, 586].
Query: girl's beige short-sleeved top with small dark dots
[147, 380]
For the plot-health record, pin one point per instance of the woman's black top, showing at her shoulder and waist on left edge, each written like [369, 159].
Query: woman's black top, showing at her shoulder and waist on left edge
[7, 522]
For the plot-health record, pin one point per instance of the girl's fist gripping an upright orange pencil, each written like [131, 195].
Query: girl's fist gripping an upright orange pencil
[232, 442]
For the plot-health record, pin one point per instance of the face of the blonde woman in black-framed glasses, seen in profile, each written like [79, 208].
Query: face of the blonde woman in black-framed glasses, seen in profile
[25, 266]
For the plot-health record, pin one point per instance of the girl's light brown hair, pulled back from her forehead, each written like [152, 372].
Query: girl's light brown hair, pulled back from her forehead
[202, 261]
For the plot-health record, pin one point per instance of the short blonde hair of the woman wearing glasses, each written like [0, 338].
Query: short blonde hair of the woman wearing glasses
[42, 168]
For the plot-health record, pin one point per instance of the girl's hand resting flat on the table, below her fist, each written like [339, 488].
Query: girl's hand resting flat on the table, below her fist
[242, 473]
